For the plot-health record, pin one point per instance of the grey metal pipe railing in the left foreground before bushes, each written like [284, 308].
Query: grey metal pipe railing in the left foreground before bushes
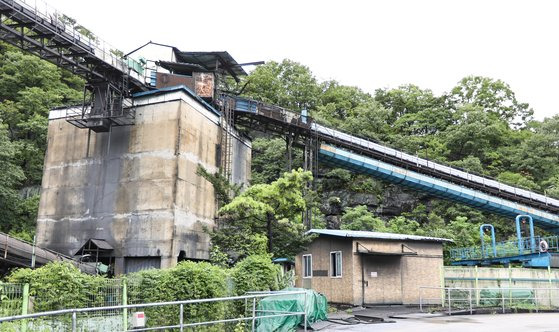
[73, 319]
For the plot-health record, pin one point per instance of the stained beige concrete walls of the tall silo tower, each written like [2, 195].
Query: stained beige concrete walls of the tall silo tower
[135, 187]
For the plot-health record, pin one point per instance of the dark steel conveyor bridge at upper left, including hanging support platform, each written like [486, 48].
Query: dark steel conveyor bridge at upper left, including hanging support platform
[35, 27]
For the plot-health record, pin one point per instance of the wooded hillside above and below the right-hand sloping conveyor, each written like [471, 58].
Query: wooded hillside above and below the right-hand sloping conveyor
[479, 125]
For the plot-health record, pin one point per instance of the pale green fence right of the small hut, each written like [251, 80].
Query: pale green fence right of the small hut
[464, 299]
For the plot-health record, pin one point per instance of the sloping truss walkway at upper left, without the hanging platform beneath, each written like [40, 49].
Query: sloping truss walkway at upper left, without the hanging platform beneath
[36, 28]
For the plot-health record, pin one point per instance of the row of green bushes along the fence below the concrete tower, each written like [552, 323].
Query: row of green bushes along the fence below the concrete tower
[61, 285]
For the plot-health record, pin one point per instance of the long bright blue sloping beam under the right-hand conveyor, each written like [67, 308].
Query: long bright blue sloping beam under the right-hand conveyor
[434, 186]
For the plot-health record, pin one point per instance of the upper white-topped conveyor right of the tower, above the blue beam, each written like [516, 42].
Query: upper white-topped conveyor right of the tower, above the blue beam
[259, 115]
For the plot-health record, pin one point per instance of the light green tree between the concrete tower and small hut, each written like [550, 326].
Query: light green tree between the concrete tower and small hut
[265, 214]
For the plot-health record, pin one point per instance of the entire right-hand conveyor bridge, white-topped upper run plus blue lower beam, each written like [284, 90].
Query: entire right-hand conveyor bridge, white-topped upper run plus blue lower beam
[340, 149]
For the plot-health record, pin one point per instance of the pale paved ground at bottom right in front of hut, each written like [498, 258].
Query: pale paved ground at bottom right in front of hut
[544, 322]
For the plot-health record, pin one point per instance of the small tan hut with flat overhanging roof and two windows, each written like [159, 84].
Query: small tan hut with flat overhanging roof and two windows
[360, 268]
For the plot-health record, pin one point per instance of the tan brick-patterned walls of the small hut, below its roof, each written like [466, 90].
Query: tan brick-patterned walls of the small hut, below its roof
[398, 277]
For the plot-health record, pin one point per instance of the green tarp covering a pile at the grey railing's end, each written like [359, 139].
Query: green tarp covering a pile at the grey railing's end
[316, 309]
